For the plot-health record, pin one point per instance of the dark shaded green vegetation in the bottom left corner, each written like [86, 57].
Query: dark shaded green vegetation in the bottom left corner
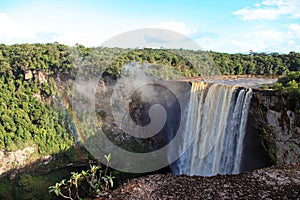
[32, 181]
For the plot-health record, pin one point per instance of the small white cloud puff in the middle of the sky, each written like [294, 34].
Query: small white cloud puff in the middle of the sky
[179, 27]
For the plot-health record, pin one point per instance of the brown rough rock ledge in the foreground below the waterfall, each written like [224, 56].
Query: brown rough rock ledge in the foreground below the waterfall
[271, 183]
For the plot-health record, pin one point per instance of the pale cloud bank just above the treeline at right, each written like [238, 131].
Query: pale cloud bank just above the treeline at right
[264, 40]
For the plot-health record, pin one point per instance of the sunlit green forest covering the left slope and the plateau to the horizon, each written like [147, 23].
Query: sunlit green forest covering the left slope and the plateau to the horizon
[30, 105]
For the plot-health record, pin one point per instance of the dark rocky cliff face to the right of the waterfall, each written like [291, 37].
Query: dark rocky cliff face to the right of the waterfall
[277, 121]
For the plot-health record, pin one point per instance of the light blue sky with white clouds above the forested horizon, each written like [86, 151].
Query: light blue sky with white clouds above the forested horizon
[232, 26]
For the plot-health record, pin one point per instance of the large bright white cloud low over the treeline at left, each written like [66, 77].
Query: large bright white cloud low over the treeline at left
[25, 28]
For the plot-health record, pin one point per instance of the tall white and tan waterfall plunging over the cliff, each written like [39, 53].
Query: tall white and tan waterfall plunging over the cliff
[215, 119]
